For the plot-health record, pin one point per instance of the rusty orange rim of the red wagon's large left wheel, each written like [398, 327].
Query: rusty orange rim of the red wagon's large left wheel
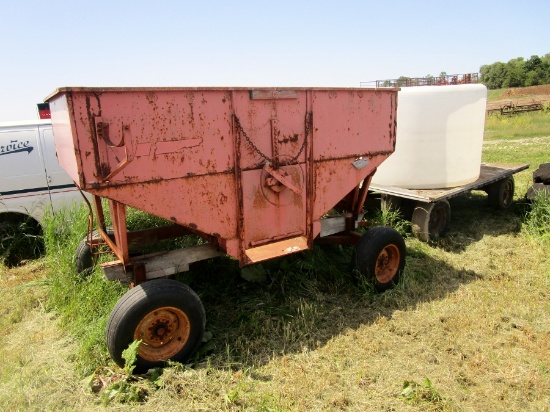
[163, 333]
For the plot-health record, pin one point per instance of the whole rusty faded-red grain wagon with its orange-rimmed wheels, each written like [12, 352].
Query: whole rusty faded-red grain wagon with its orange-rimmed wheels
[253, 171]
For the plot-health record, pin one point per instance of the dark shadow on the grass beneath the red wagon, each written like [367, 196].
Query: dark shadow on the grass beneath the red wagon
[306, 300]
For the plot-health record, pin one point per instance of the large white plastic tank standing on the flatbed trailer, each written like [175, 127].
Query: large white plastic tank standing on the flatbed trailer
[439, 137]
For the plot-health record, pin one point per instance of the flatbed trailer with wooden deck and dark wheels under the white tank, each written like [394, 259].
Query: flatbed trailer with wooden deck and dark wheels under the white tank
[429, 210]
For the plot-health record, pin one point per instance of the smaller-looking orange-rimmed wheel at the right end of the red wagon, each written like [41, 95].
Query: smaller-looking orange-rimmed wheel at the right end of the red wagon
[380, 257]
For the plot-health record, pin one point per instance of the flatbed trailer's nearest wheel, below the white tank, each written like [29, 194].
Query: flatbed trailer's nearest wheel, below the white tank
[431, 220]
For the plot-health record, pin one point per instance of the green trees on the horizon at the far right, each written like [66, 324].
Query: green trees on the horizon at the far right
[517, 72]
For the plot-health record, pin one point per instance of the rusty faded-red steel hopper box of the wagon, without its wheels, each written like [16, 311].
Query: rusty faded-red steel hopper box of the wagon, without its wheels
[250, 167]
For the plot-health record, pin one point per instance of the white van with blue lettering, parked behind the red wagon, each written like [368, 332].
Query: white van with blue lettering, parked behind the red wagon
[31, 181]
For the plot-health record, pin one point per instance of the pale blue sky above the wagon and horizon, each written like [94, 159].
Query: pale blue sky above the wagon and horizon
[48, 44]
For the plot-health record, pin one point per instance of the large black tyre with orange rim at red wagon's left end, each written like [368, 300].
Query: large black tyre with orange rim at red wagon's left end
[166, 315]
